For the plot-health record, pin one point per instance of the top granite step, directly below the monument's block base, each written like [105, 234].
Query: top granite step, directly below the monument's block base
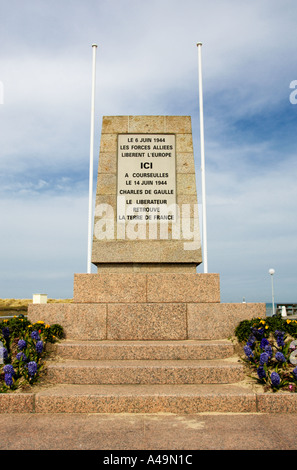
[143, 350]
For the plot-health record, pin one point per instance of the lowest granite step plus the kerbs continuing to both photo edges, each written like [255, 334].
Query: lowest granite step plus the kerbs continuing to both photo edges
[179, 399]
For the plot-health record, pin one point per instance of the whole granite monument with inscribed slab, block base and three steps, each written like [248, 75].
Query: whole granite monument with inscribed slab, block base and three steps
[146, 333]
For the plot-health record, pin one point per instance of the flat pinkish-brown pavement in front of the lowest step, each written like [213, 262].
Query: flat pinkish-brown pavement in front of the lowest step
[143, 432]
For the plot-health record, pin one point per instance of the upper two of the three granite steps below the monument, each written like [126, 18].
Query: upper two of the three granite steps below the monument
[118, 363]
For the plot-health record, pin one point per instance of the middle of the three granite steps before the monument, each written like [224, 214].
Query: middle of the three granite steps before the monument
[144, 372]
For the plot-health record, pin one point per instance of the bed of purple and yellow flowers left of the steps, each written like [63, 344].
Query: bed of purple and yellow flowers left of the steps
[23, 351]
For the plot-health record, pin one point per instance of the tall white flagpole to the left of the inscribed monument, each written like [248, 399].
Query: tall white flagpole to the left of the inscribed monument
[90, 218]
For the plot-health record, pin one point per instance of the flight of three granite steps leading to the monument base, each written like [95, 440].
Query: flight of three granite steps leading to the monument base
[144, 377]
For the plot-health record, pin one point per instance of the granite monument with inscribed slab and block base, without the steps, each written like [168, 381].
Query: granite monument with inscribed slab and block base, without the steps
[146, 244]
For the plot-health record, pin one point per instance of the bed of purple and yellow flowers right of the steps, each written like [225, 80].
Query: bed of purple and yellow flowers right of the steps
[268, 346]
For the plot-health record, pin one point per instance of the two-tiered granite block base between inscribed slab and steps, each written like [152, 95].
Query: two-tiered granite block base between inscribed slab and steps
[146, 306]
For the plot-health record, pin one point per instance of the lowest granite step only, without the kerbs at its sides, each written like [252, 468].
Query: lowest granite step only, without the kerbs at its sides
[145, 399]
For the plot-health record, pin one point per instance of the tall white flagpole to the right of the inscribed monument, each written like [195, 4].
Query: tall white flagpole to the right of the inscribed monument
[205, 261]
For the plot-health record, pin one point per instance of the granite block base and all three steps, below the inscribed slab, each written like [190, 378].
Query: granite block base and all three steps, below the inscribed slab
[147, 343]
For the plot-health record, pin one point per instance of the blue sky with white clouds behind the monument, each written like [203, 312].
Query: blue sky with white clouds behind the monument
[147, 64]
